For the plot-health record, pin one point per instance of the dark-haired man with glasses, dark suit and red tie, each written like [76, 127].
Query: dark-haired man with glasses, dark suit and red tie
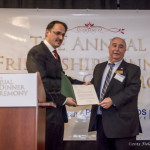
[42, 59]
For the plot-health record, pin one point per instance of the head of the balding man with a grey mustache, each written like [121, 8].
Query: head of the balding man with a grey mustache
[117, 49]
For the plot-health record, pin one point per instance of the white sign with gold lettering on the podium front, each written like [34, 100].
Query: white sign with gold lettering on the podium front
[18, 90]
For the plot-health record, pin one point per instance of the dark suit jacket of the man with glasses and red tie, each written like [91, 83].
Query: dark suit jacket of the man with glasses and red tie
[40, 59]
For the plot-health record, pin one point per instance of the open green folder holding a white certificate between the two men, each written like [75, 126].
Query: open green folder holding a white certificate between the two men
[82, 94]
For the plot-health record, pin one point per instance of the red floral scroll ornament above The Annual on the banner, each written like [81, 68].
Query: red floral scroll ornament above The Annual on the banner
[91, 28]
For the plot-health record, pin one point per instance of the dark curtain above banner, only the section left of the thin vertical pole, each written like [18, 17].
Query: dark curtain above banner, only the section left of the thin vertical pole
[60, 4]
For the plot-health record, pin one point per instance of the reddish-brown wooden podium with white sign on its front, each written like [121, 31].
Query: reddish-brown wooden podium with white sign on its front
[22, 122]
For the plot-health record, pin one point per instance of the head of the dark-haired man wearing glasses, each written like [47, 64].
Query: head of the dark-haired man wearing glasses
[55, 33]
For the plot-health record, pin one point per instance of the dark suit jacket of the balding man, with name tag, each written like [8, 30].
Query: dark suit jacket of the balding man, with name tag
[121, 119]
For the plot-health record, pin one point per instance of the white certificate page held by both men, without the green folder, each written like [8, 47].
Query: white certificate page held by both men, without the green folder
[85, 94]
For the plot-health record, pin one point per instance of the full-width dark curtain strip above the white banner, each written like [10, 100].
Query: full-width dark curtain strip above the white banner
[76, 4]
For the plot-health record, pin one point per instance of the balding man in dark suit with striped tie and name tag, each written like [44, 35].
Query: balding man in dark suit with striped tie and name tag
[116, 118]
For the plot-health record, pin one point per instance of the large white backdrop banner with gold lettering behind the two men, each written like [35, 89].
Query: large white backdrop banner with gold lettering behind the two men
[85, 45]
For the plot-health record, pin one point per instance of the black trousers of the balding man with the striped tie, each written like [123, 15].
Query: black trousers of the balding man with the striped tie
[104, 143]
